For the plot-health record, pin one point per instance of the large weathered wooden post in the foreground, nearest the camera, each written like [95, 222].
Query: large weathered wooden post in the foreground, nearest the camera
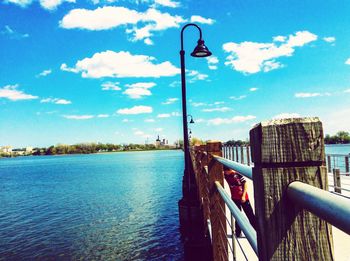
[283, 151]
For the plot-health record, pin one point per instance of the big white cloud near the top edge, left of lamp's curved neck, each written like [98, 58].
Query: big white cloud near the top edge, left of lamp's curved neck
[140, 25]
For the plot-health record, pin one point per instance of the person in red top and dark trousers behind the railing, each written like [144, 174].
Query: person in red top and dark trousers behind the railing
[239, 195]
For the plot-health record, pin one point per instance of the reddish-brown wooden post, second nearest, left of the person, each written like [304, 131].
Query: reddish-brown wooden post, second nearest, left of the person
[217, 218]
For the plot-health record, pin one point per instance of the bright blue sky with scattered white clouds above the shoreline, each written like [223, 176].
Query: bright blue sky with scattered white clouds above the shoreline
[108, 71]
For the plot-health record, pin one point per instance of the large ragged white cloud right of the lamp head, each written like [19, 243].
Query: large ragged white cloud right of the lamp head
[252, 57]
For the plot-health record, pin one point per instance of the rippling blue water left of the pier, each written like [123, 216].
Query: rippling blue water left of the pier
[118, 206]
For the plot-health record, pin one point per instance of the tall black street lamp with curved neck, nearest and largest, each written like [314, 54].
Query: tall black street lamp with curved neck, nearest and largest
[199, 51]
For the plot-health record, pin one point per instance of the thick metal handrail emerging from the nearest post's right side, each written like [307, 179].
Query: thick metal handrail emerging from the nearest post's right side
[330, 207]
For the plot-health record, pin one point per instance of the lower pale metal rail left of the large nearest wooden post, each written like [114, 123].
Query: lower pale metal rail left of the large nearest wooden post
[240, 219]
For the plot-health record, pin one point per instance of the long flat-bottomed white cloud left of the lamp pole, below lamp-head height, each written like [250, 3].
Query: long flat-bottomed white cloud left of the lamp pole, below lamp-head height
[121, 64]
